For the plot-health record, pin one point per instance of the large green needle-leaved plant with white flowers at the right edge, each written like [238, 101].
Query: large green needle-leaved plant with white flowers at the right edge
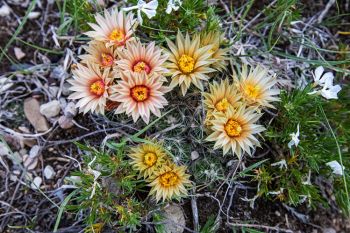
[298, 180]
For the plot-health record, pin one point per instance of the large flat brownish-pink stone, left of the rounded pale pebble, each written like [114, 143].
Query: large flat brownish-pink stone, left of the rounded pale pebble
[32, 113]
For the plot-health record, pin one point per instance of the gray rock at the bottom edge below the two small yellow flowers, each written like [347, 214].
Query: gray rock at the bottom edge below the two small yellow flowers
[174, 214]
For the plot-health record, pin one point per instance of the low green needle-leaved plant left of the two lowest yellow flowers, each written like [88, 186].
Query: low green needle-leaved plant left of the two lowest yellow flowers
[106, 188]
